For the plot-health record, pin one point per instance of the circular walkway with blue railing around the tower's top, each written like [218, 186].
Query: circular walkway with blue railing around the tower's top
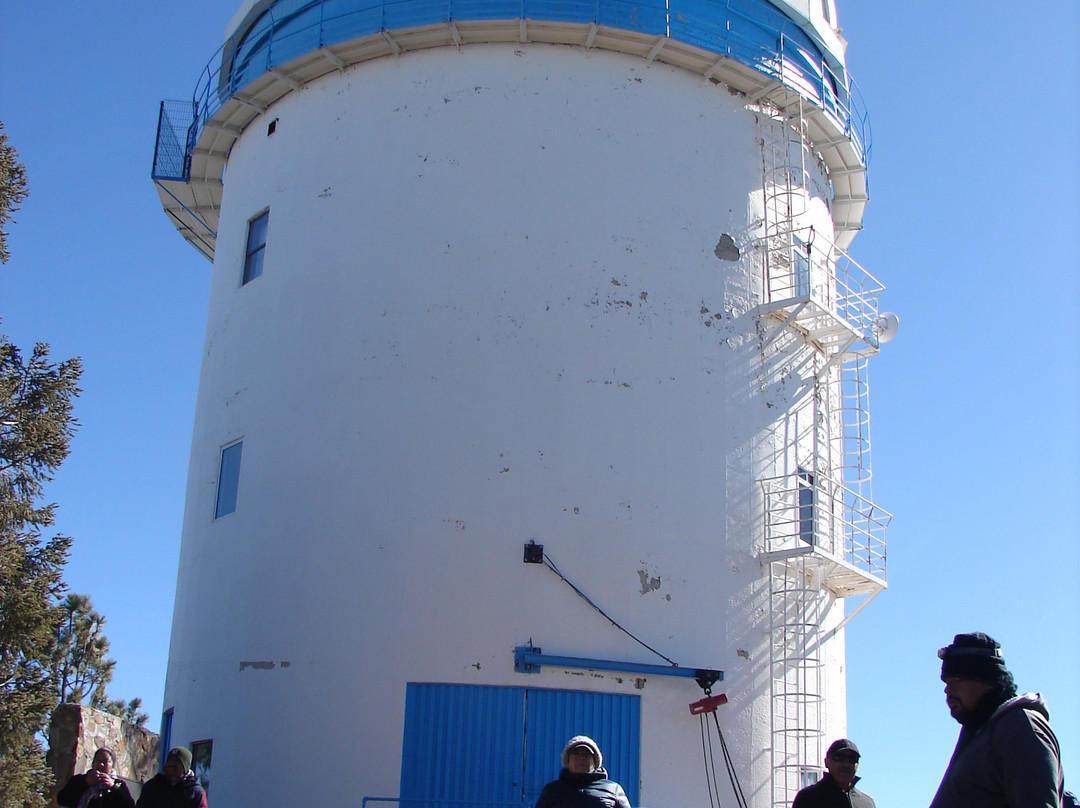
[750, 46]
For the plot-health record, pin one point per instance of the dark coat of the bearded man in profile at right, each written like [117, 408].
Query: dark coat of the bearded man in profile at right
[1009, 761]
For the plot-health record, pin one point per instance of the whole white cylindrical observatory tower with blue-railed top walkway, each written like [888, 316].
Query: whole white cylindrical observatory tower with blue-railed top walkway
[533, 400]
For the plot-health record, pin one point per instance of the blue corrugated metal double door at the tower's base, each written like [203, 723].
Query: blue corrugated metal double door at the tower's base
[469, 747]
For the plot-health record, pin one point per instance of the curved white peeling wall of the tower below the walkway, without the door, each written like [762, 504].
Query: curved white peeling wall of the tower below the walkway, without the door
[509, 293]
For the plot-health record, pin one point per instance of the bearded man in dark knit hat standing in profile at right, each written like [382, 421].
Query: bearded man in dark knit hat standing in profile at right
[1007, 756]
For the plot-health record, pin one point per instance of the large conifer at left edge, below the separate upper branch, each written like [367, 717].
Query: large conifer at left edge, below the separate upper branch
[36, 427]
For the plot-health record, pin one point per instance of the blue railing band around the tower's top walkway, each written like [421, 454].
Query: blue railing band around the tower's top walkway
[753, 33]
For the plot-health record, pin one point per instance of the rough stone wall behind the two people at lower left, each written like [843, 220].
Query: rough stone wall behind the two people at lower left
[76, 733]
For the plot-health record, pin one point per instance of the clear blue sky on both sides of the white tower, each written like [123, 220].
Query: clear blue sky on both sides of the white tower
[974, 227]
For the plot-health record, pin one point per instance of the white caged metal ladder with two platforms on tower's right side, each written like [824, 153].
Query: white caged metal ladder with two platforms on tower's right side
[825, 538]
